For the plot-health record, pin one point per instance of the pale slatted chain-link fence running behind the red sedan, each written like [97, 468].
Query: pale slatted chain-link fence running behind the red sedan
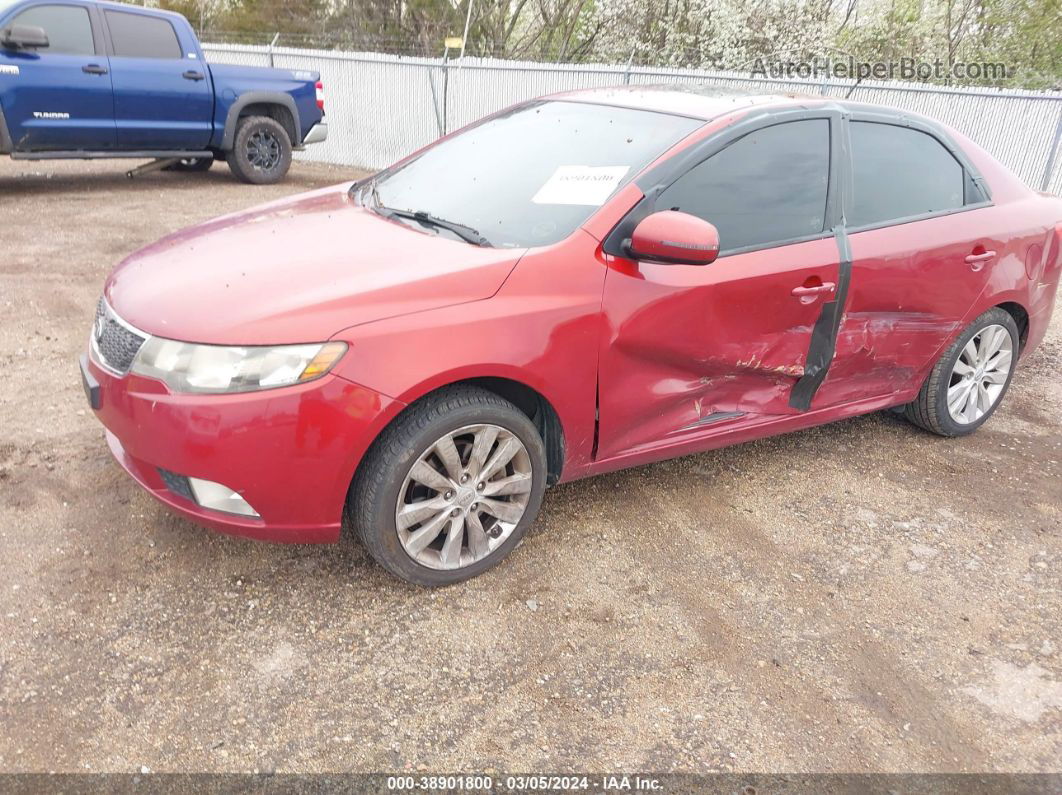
[382, 108]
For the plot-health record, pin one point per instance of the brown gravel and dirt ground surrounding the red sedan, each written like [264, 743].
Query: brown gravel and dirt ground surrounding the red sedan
[862, 597]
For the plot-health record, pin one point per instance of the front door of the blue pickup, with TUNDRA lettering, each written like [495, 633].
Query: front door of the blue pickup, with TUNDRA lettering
[59, 97]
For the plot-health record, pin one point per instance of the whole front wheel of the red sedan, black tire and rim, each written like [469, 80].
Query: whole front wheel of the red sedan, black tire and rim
[385, 486]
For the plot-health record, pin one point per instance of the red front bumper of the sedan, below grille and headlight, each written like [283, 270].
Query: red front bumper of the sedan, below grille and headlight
[290, 453]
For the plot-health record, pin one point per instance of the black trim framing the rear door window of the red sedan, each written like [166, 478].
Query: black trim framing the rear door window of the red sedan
[975, 191]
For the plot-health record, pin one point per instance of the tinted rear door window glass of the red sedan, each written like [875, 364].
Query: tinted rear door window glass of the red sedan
[899, 172]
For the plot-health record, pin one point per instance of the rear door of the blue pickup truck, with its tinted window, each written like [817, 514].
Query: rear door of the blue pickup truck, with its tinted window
[164, 97]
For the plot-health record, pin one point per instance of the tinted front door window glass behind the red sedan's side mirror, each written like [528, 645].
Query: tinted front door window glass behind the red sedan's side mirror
[768, 187]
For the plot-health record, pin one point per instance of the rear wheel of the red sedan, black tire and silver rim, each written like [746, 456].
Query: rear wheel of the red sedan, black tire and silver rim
[969, 383]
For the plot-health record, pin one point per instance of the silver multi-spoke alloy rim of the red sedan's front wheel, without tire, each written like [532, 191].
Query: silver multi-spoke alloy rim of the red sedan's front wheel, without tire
[464, 497]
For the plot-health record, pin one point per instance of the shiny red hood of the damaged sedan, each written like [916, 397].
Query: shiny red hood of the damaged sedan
[299, 270]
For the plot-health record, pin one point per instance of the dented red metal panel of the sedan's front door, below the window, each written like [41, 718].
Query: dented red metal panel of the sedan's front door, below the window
[696, 350]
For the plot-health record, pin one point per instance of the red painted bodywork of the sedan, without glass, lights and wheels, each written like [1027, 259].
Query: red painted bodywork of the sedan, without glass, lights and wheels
[640, 361]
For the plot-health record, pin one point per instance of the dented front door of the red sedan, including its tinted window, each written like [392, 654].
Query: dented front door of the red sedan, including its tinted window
[694, 350]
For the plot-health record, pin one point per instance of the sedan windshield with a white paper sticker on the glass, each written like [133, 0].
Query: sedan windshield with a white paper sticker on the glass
[533, 177]
